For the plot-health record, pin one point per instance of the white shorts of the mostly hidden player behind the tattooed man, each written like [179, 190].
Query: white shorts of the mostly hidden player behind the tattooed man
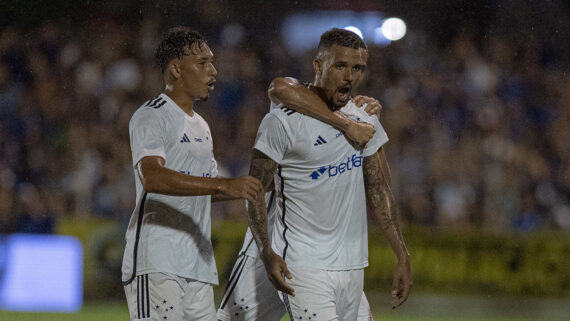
[250, 296]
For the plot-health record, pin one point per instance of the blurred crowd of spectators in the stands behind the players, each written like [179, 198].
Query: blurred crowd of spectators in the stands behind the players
[479, 129]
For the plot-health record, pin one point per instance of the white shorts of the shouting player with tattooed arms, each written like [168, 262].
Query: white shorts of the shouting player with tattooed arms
[324, 295]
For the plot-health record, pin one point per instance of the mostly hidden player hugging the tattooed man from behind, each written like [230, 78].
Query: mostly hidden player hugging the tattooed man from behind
[249, 296]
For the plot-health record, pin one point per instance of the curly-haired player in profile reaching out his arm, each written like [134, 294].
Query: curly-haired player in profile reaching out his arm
[168, 265]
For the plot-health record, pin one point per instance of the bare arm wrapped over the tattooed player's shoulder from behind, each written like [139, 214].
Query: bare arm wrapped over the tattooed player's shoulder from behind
[302, 99]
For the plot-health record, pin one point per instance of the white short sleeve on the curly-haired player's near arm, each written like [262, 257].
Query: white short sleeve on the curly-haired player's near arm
[147, 135]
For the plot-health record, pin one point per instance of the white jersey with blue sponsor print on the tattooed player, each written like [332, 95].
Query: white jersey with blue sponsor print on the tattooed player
[321, 205]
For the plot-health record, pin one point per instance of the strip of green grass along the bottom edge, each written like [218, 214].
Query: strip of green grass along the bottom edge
[420, 307]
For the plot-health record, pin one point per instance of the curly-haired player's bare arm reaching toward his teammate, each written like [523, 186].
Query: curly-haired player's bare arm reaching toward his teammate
[158, 179]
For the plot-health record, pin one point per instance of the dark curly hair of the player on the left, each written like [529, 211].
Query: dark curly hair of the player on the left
[174, 43]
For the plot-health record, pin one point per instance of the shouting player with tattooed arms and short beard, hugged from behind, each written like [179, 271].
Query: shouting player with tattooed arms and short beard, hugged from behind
[323, 186]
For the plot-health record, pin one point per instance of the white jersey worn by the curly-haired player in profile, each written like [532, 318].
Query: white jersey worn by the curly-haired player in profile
[171, 234]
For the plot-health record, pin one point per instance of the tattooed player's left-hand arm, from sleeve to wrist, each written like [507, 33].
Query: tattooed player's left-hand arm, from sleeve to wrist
[262, 168]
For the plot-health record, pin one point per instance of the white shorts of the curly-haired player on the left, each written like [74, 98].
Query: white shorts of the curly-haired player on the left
[164, 297]
